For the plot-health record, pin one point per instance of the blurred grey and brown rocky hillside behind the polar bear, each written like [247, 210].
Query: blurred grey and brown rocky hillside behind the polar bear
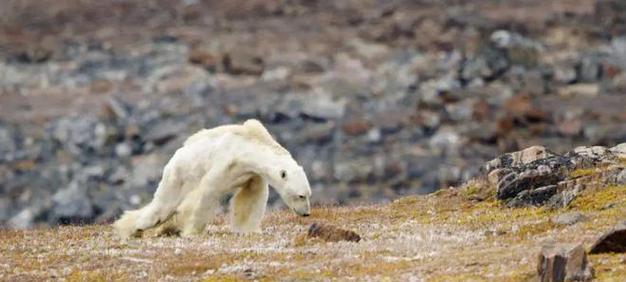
[377, 99]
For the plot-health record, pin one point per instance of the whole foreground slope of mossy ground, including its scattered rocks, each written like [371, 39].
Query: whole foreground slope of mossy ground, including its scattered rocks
[468, 233]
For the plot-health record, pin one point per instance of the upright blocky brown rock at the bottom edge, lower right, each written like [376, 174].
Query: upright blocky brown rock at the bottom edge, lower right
[564, 263]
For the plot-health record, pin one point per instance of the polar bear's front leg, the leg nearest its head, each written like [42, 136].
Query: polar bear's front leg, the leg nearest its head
[247, 207]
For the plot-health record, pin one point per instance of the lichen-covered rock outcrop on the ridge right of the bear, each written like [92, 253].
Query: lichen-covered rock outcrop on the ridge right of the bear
[535, 176]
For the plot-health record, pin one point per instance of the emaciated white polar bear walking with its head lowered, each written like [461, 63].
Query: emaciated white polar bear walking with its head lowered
[232, 158]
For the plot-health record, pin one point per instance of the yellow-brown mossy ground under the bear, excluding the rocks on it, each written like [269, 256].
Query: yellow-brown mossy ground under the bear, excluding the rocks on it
[439, 237]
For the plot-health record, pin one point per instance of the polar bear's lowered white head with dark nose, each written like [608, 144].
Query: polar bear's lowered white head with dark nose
[289, 180]
